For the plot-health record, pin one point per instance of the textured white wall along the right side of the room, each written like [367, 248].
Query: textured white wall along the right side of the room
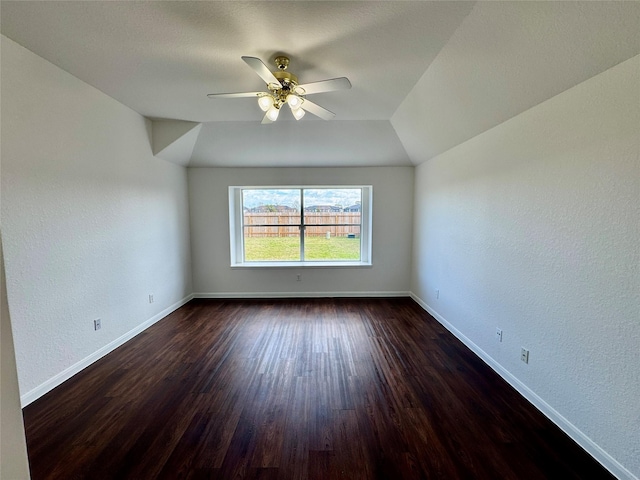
[533, 227]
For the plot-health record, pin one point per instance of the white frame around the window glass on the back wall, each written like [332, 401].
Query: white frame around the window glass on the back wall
[236, 238]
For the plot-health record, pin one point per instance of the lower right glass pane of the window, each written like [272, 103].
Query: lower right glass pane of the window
[334, 243]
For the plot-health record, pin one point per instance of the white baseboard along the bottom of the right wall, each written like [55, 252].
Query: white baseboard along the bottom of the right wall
[565, 425]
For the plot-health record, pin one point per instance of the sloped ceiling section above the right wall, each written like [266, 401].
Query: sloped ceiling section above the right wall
[507, 57]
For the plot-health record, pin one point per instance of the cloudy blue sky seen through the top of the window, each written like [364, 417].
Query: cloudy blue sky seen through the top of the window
[343, 197]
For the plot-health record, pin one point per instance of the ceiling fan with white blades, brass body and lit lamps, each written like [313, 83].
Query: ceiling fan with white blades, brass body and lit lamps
[283, 88]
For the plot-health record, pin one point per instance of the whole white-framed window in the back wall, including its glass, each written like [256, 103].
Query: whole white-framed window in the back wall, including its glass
[300, 226]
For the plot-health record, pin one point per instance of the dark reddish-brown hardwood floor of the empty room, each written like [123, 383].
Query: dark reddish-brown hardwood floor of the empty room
[283, 389]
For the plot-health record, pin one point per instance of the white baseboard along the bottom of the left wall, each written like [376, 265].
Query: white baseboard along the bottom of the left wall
[66, 374]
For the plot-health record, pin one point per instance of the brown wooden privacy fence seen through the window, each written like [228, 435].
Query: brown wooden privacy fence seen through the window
[285, 224]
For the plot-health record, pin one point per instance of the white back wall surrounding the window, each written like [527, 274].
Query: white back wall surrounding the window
[391, 239]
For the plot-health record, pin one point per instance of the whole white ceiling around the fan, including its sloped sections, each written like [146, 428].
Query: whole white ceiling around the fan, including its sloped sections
[426, 75]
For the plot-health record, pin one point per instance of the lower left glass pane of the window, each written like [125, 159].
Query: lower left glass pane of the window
[271, 243]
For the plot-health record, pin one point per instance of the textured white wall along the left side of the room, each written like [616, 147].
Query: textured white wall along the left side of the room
[92, 222]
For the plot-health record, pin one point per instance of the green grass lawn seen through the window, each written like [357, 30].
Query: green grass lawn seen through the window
[258, 249]
